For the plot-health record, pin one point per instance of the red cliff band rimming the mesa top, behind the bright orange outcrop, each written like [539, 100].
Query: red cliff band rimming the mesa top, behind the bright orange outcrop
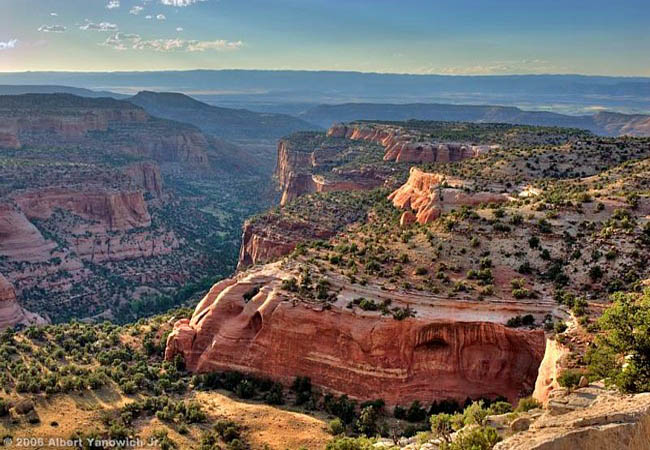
[404, 146]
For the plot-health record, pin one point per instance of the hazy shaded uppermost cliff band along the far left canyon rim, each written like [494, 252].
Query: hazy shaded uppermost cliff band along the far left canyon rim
[110, 125]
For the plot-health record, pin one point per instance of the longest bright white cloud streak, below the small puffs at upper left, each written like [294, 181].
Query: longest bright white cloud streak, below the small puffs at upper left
[123, 41]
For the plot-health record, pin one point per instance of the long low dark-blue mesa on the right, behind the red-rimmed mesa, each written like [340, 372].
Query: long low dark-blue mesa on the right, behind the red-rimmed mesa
[603, 123]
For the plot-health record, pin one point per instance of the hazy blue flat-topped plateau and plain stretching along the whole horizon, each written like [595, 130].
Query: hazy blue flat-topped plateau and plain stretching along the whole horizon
[262, 89]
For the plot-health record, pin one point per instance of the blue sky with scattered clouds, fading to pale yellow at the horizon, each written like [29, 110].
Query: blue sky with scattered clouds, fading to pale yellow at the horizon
[593, 37]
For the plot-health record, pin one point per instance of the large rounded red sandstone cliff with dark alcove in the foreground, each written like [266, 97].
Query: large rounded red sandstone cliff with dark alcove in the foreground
[435, 355]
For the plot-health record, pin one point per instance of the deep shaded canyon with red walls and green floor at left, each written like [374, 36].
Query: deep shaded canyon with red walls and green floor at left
[102, 204]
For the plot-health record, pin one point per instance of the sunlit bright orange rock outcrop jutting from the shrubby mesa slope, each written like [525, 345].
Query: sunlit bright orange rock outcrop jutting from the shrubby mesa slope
[427, 194]
